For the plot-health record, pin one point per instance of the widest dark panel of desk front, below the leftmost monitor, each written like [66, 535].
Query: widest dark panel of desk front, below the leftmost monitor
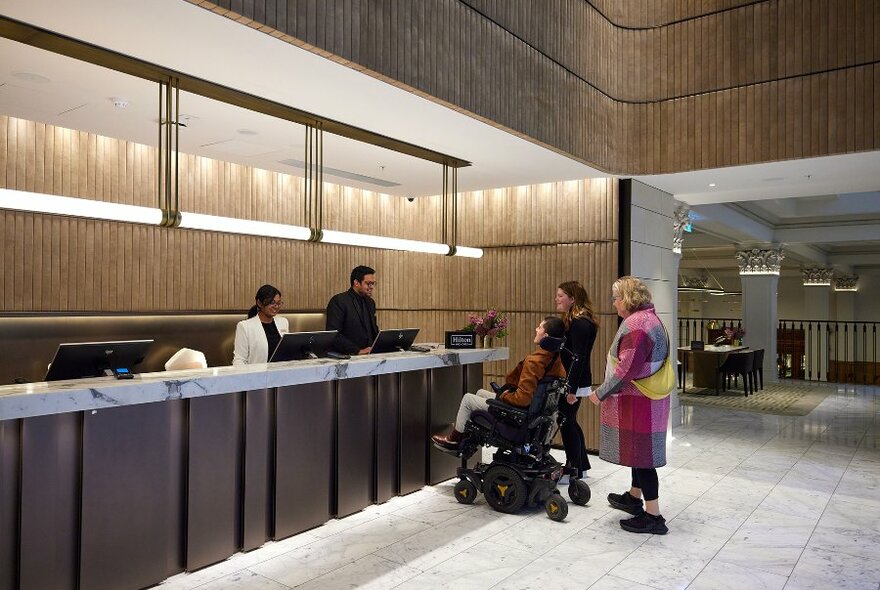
[131, 496]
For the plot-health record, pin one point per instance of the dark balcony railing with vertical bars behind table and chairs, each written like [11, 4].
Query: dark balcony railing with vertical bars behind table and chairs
[812, 350]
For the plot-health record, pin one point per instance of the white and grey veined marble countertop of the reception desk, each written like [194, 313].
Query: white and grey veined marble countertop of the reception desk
[58, 397]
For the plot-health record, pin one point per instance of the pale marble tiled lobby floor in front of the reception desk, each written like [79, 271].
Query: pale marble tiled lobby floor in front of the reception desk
[752, 501]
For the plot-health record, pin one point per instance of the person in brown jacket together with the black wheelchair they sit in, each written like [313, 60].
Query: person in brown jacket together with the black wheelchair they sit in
[521, 423]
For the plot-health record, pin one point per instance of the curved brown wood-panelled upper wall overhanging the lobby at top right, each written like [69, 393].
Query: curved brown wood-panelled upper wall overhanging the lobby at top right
[630, 87]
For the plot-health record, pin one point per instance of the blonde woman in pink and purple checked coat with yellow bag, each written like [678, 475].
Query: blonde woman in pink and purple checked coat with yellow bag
[635, 407]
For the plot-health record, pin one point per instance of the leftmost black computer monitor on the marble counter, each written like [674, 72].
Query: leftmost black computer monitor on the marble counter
[78, 360]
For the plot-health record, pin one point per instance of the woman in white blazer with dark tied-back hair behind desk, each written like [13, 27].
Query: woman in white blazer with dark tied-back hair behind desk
[257, 336]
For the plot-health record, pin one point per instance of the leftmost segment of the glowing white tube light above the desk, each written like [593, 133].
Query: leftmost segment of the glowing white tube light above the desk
[55, 205]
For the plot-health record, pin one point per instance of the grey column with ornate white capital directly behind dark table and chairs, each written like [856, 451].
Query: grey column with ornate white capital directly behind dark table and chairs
[759, 275]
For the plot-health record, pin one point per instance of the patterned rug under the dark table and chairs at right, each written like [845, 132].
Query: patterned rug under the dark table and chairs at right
[789, 398]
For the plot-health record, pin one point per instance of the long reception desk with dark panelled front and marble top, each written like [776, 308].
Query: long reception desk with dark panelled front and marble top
[109, 484]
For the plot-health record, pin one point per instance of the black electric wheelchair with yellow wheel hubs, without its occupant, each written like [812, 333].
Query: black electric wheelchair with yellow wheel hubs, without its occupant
[522, 471]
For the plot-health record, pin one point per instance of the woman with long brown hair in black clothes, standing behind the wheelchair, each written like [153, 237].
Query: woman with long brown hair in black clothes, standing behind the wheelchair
[574, 306]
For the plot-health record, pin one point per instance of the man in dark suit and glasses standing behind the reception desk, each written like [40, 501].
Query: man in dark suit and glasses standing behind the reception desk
[353, 314]
